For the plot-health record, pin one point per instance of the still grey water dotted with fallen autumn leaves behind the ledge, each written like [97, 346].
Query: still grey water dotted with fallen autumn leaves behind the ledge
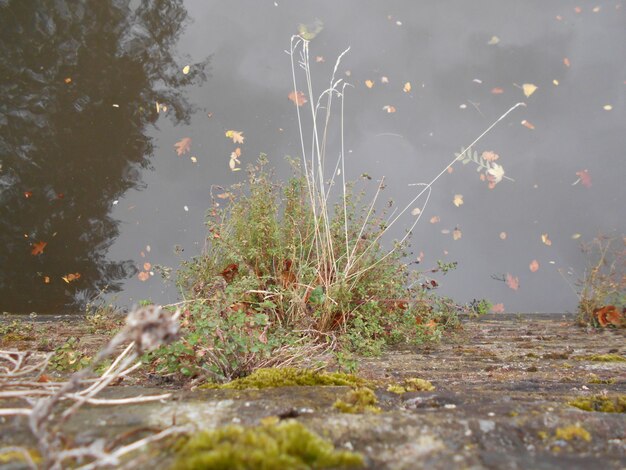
[89, 165]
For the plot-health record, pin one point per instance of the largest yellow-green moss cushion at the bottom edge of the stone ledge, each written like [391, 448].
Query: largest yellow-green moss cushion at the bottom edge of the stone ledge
[286, 445]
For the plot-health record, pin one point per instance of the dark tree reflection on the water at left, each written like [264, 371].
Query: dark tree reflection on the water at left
[79, 86]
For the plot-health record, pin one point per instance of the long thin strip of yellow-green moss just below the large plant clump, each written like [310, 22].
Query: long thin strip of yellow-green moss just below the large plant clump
[289, 377]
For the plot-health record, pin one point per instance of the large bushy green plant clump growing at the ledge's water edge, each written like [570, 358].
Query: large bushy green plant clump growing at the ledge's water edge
[280, 283]
